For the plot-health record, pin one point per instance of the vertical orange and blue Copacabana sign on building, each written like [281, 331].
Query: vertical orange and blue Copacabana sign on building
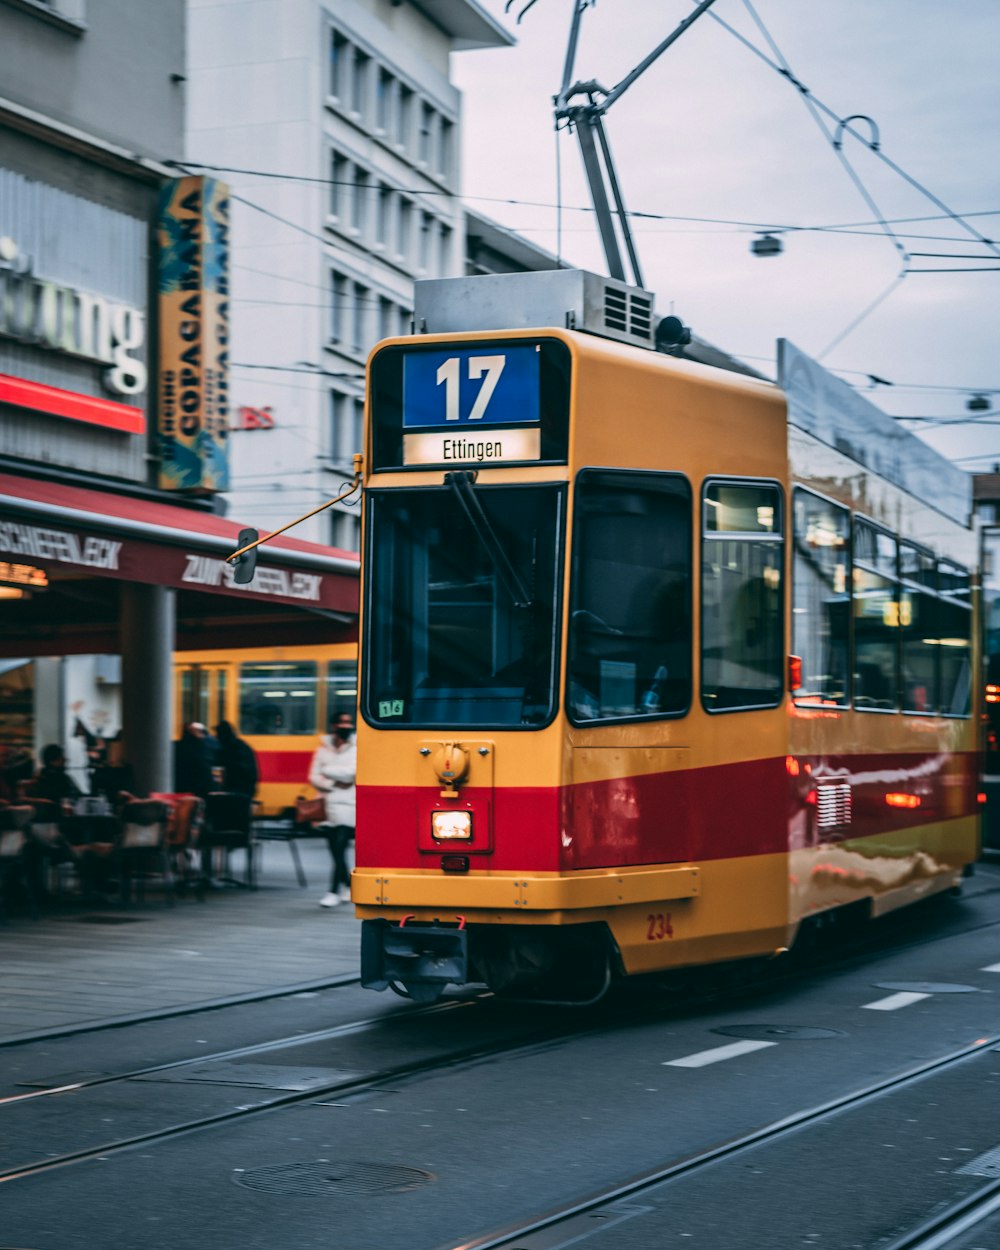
[194, 336]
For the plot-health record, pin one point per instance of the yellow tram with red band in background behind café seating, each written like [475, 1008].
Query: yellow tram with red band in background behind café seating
[279, 699]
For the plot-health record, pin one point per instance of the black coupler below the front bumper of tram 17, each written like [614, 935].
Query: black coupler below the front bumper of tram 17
[424, 958]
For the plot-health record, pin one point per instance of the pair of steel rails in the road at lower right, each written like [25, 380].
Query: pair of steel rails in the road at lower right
[612, 1206]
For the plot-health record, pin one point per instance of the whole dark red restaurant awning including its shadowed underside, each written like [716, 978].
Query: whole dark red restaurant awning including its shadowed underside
[77, 534]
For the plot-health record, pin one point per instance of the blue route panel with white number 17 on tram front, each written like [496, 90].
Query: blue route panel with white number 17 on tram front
[472, 387]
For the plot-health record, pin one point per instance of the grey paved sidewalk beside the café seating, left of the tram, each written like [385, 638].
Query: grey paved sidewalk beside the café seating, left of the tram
[78, 966]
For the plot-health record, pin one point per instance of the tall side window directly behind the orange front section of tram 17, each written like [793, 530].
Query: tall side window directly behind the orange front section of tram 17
[821, 613]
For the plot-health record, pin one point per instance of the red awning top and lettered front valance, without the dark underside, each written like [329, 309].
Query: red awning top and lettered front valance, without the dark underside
[99, 533]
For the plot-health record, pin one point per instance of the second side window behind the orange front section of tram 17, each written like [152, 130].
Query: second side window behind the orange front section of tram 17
[877, 617]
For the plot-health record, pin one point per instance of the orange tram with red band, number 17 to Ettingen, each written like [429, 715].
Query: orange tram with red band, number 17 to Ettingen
[659, 662]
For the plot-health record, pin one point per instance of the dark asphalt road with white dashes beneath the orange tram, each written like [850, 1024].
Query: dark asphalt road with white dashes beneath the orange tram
[434, 1159]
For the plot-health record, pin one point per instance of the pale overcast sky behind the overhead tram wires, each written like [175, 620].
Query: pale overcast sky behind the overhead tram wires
[712, 132]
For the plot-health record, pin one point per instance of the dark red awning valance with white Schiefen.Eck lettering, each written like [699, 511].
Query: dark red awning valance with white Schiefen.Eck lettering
[168, 566]
